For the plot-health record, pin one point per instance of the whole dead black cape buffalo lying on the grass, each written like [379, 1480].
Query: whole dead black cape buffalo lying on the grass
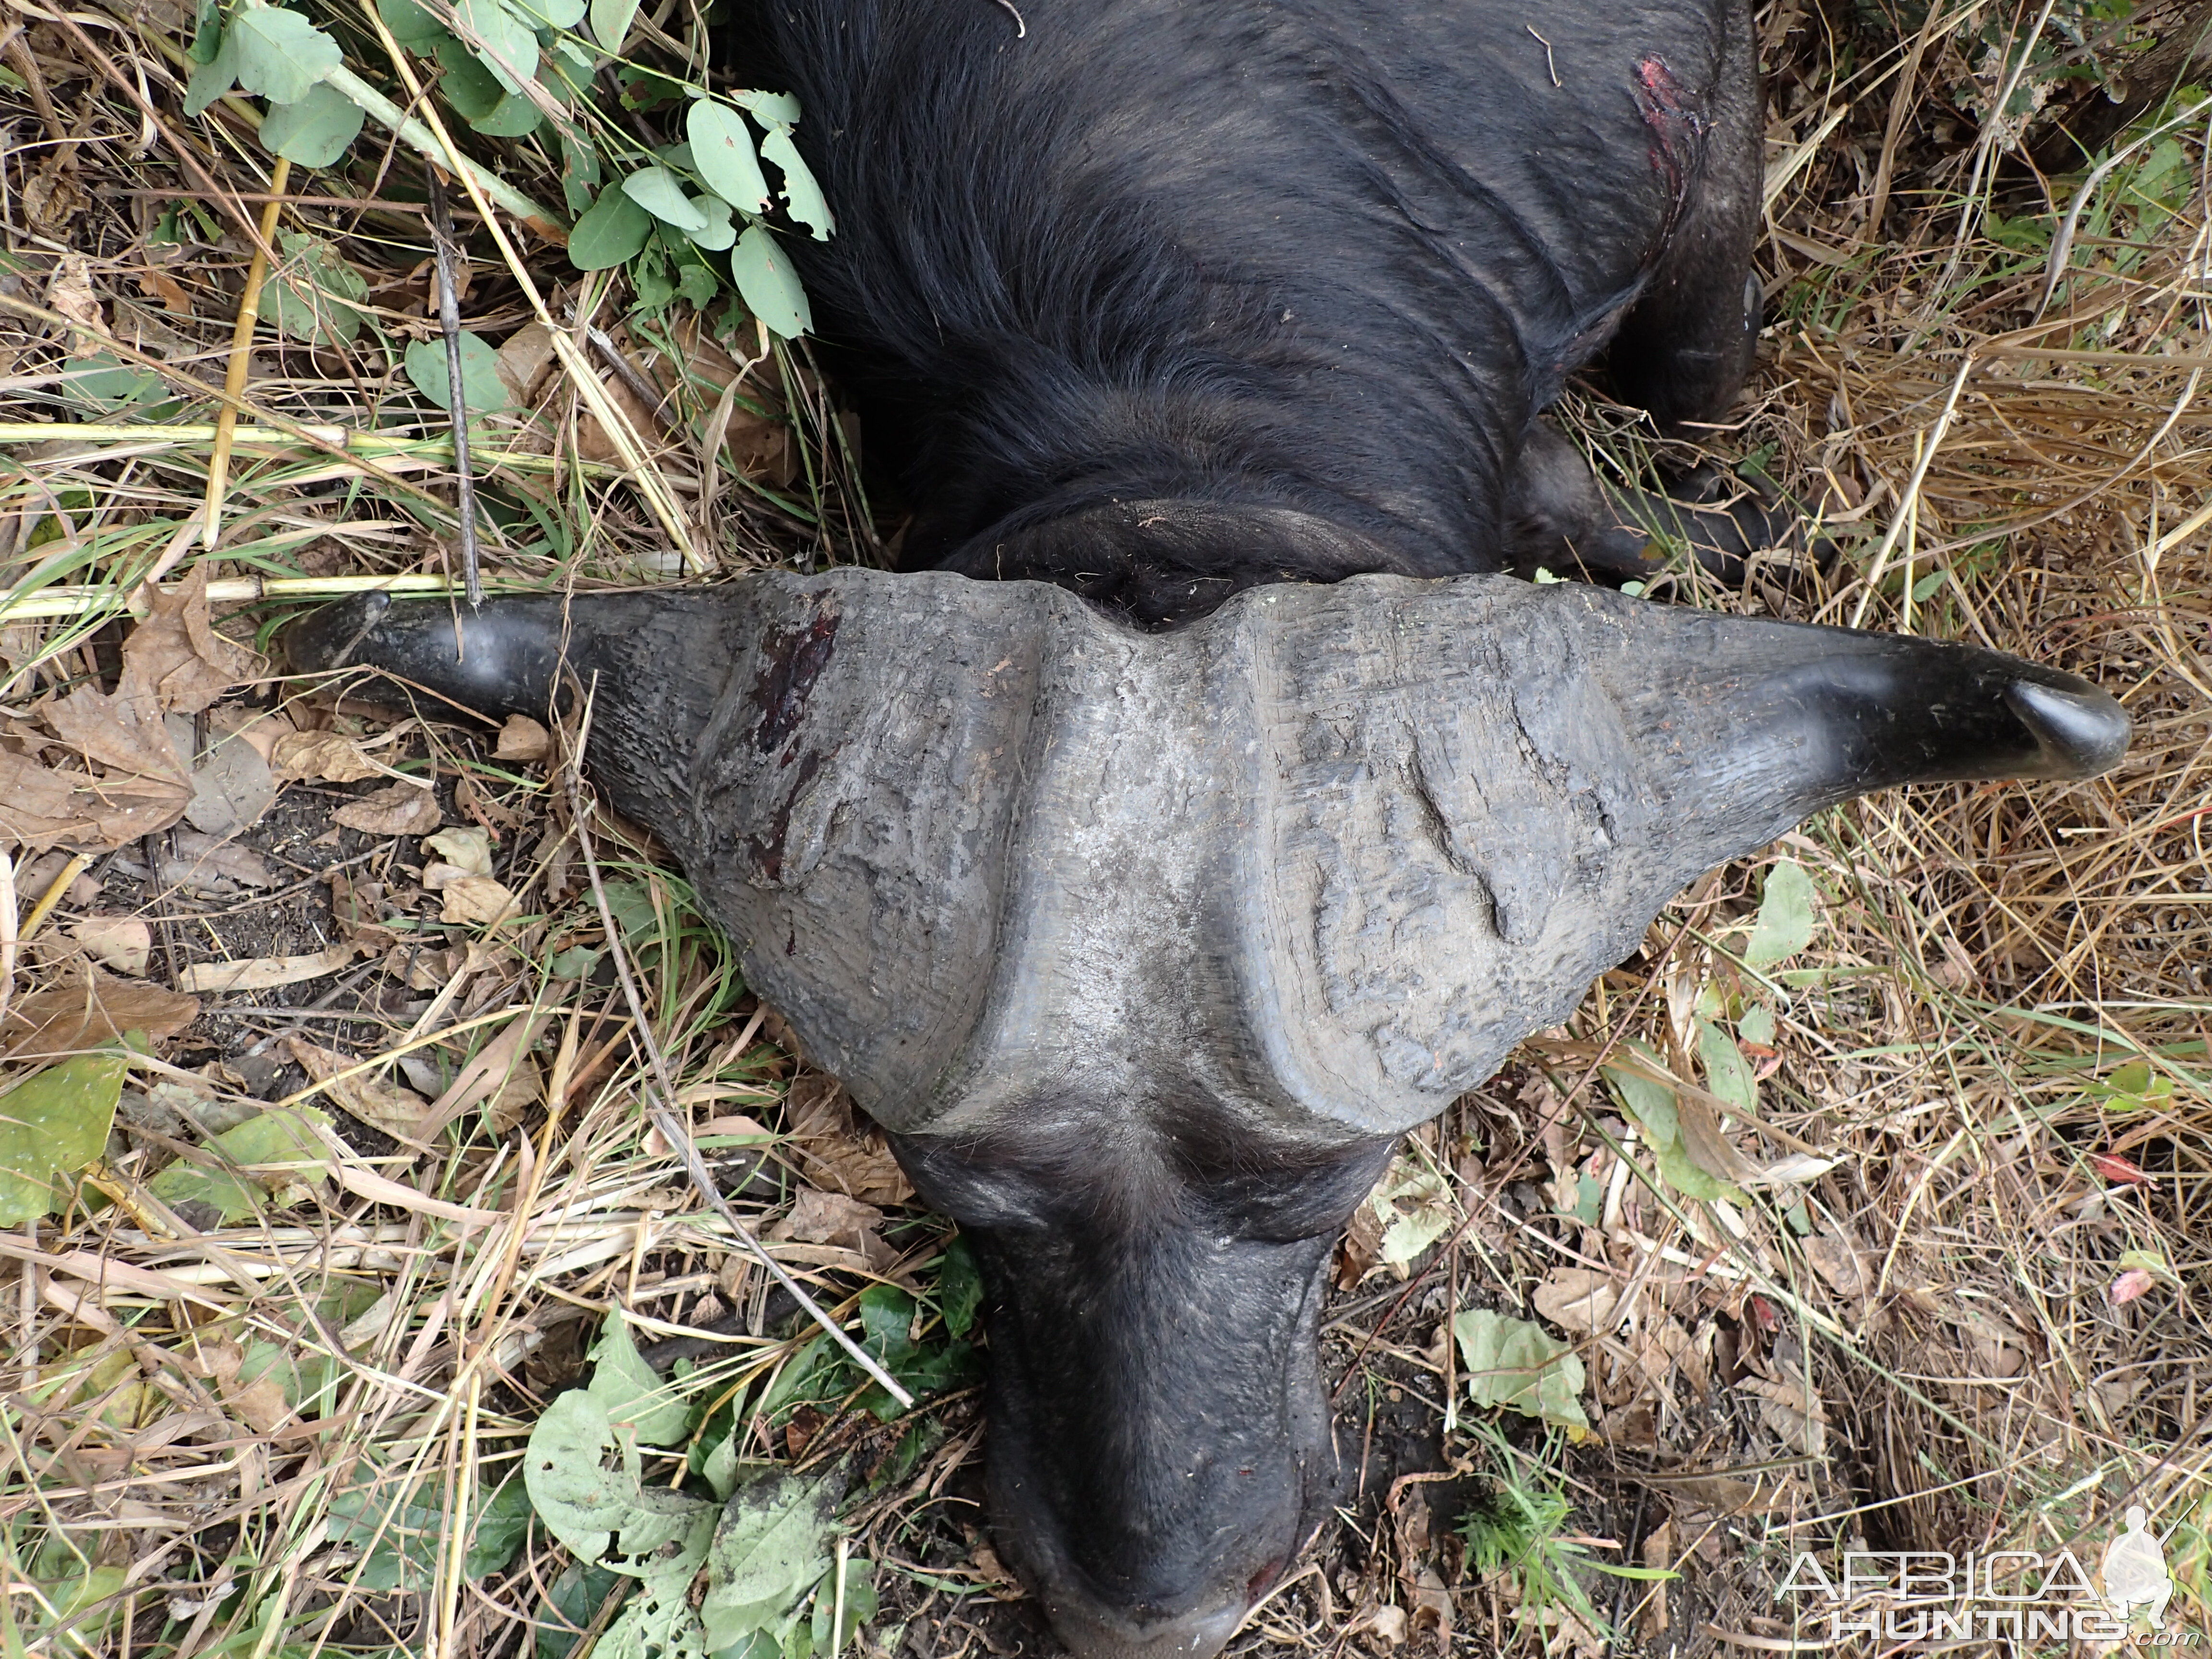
[1204, 806]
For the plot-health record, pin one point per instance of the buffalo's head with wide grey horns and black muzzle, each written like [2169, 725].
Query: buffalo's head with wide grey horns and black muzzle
[1147, 948]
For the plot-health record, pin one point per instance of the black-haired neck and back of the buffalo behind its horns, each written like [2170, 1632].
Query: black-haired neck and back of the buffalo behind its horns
[1072, 278]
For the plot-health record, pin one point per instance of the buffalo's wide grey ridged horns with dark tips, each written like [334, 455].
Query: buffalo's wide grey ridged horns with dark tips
[1326, 855]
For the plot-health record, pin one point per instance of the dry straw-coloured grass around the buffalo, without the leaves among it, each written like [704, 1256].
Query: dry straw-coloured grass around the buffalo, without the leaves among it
[1979, 1328]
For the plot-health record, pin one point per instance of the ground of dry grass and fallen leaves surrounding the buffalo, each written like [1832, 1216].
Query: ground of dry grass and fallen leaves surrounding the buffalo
[1857, 1213]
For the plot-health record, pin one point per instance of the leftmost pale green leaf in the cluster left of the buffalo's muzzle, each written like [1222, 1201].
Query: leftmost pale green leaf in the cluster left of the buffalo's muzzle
[596, 1510]
